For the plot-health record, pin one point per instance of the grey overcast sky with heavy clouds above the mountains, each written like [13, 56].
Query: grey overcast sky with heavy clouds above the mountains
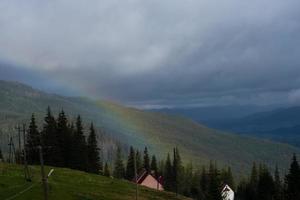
[155, 53]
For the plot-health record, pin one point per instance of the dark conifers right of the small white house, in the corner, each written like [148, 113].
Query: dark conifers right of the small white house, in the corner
[263, 185]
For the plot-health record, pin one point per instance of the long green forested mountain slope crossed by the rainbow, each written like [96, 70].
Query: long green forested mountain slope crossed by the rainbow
[160, 132]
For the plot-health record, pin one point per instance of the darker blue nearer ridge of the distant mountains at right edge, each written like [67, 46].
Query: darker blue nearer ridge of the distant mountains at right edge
[280, 125]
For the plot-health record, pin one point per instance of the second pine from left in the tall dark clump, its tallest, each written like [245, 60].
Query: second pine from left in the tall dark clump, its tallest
[50, 140]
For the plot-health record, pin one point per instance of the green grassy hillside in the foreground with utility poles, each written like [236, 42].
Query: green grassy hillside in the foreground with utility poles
[69, 184]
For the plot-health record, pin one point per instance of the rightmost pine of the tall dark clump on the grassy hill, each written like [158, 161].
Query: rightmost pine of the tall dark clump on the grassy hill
[93, 157]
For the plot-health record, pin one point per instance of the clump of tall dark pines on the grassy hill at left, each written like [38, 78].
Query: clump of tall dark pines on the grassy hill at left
[64, 143]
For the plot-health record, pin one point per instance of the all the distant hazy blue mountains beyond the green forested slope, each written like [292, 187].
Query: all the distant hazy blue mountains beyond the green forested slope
[270, 122]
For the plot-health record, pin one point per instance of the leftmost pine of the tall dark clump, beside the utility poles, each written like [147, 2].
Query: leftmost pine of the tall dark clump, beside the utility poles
[33, 141]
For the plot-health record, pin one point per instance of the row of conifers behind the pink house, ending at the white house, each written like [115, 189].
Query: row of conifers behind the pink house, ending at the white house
[198, 184]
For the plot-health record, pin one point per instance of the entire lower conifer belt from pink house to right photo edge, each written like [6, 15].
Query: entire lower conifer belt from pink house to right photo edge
[207, 183]
